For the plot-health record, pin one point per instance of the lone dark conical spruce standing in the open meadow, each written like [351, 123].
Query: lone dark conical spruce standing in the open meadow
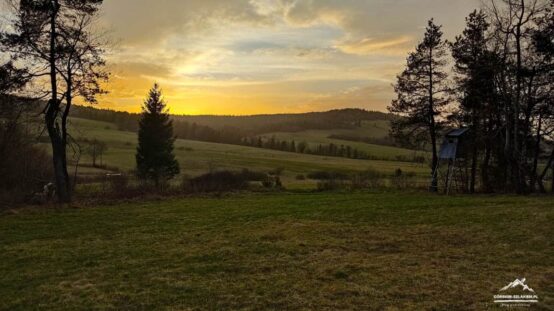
[155, 158]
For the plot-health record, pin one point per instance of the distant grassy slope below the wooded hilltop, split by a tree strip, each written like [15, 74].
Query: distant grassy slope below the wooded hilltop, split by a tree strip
[374, 129]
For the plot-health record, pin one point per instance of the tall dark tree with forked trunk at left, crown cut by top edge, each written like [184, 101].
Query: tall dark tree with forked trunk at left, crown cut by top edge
[54, 40]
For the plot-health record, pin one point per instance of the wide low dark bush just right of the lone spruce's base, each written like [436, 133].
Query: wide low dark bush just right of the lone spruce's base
[220, 181]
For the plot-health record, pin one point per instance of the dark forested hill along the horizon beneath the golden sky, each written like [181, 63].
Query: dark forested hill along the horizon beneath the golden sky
[246, 125]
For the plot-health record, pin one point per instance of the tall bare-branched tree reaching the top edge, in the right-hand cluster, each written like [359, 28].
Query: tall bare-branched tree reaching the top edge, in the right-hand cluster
[521, 82]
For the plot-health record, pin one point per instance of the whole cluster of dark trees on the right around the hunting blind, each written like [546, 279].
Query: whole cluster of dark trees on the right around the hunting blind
[500, 87]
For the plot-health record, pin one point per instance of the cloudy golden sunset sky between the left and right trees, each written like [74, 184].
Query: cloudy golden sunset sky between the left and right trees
[241, 57]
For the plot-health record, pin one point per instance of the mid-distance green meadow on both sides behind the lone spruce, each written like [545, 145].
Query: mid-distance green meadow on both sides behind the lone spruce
[199, 157]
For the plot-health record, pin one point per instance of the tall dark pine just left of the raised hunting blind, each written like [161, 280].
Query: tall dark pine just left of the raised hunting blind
[422, 93]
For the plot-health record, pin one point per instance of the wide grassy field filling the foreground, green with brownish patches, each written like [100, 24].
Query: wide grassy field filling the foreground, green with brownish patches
[335, 251]
